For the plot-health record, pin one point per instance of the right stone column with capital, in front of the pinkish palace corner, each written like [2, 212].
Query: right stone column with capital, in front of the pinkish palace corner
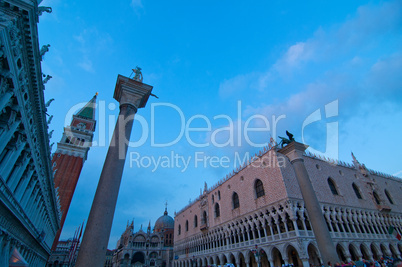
[294, 151]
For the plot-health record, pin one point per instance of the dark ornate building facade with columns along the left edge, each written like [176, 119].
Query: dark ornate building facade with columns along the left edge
[29, 211]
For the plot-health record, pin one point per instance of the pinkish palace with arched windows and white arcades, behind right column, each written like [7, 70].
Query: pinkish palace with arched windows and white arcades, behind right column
[256, 216]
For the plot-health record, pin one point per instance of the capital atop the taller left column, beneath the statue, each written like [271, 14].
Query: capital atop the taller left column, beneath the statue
[131, 92]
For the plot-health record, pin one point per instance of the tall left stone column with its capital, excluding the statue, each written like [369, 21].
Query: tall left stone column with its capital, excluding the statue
[131, 95]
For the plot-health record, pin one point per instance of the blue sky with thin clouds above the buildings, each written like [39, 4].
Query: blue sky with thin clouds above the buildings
[224, 66]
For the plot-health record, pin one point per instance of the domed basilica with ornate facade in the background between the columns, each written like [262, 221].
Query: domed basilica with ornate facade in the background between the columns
[146, 248]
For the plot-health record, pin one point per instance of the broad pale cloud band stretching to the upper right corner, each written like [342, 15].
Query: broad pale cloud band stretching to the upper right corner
[339, 51]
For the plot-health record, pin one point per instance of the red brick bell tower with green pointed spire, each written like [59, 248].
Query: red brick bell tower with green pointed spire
[70, 155]
